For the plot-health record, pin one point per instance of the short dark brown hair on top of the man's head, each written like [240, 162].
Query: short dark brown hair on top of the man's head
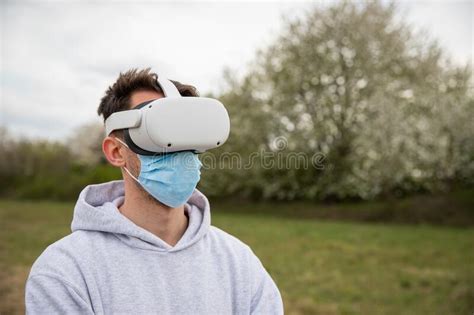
[117, 96]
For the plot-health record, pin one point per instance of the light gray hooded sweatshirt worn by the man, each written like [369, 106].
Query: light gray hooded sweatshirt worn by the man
[109, 265]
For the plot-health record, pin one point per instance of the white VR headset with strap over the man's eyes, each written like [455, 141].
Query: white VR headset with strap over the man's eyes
[172, 123]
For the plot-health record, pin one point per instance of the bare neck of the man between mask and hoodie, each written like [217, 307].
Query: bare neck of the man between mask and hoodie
[169, 224]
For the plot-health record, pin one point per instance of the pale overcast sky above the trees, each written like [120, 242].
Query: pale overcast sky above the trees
[58, 57]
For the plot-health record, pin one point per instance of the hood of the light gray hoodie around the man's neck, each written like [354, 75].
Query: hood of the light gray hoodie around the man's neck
[97, 210]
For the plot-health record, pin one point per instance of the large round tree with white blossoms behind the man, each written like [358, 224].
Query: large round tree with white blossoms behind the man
[354, 82]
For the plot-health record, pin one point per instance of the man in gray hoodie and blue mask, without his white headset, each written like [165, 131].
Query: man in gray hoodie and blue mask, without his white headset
[130, 252]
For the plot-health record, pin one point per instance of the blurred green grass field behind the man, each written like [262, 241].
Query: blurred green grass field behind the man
[321, 267]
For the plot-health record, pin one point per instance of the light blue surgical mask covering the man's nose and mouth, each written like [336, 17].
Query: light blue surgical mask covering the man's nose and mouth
[170, 178]
